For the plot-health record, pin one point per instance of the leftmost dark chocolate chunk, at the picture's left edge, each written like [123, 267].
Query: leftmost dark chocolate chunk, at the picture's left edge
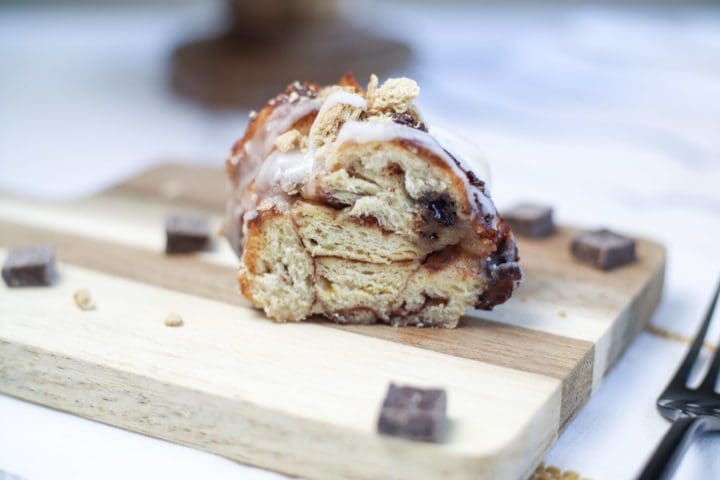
[30, 267]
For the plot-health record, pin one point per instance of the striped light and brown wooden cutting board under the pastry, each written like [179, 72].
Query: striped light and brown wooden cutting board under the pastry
[298, 398]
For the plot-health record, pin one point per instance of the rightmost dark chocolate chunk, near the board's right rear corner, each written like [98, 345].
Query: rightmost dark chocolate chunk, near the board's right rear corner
[603, 249]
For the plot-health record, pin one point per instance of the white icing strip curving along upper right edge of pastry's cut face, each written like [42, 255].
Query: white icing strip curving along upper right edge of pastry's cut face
[376, 131]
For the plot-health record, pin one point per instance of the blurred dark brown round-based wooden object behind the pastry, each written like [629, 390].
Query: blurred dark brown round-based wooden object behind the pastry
[272, 43]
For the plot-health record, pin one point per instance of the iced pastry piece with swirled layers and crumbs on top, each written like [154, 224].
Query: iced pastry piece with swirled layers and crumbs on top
[344, 205]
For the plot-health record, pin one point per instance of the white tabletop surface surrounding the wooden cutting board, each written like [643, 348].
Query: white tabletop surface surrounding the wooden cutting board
[610, 114]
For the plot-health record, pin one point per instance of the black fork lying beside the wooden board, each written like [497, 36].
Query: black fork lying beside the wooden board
[692, 411]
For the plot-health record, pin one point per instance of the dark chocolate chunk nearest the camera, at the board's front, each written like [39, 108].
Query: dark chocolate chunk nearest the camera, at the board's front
[414, 413]
